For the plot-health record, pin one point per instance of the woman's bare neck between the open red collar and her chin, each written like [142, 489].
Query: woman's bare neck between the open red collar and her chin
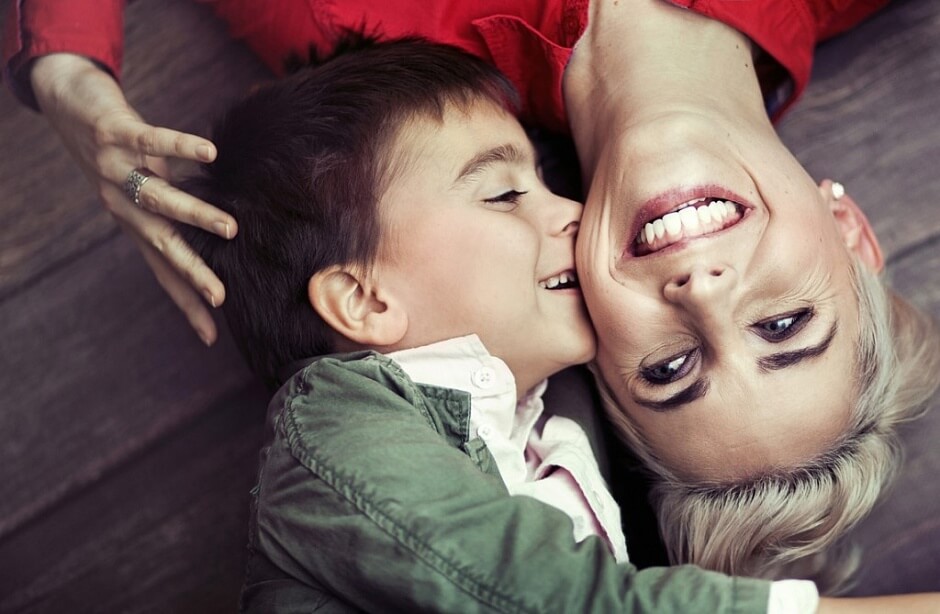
[644, 62]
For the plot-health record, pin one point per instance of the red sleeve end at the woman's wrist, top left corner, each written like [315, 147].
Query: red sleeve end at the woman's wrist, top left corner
[32, 28]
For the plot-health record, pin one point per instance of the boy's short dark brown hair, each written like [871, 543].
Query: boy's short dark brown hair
[302, 165]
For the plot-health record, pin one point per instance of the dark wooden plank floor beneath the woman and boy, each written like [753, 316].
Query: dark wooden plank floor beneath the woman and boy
[127, 449]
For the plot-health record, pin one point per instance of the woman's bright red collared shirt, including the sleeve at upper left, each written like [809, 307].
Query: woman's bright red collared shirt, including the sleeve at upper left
[529, 40]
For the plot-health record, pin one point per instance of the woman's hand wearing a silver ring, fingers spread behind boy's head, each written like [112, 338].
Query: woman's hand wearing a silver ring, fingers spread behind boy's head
[109, 139]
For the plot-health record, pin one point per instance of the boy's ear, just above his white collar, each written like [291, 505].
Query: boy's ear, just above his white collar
[356, 308]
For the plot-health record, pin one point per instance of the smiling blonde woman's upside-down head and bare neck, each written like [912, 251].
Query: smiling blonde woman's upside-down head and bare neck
[764, 332]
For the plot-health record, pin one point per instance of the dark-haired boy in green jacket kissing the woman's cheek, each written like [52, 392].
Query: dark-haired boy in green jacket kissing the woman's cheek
[390, 209]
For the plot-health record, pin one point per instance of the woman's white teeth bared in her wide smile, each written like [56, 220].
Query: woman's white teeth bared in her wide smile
[694, 218]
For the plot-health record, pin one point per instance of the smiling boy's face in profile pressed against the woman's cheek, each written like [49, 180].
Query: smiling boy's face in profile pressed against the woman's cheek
[475, 243]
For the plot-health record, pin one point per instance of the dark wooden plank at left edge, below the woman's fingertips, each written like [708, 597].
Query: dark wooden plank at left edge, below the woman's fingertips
[95, 364]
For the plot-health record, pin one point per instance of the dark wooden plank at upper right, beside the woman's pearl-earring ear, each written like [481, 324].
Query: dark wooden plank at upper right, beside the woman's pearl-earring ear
[869, 119]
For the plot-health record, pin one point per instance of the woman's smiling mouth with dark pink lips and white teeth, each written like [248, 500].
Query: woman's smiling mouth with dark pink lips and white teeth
[680, 217]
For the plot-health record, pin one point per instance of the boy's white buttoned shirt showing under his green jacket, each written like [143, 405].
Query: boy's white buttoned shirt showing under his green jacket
[538, 455]
